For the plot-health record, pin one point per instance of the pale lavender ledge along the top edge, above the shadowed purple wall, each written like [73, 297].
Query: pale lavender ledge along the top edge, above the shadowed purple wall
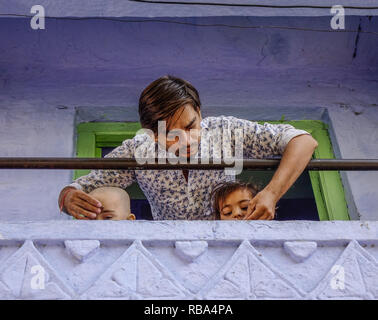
[120, 8]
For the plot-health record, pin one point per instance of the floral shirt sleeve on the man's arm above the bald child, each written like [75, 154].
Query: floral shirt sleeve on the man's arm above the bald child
[109, 178]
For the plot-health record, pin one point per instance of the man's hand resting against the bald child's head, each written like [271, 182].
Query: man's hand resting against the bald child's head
[81, 205]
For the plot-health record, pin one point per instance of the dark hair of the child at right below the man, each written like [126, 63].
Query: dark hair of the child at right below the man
[223, 189]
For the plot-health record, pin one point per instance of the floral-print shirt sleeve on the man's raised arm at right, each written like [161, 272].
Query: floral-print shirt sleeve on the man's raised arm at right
[263, 140]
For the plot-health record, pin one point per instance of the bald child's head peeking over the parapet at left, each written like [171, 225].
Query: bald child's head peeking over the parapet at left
[115, 202]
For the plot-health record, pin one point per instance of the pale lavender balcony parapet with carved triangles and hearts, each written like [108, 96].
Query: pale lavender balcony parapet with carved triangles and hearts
[189, 260]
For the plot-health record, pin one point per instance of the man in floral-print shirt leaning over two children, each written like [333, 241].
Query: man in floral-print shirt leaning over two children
[183, 194]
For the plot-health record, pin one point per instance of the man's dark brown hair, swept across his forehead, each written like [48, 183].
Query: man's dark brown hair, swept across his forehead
[163, 97]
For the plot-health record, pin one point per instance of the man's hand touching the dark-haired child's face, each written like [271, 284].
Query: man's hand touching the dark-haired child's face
[262, 206]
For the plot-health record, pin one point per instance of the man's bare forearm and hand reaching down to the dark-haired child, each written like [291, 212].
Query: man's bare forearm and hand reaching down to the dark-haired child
[296, 156]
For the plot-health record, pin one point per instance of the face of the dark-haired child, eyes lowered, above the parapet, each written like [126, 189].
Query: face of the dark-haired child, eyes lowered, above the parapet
[235, 205]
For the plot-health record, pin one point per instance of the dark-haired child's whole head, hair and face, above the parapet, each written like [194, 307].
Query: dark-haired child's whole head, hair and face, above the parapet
[230, 199]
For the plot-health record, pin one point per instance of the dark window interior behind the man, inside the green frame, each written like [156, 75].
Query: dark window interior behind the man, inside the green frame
[297, 204]
